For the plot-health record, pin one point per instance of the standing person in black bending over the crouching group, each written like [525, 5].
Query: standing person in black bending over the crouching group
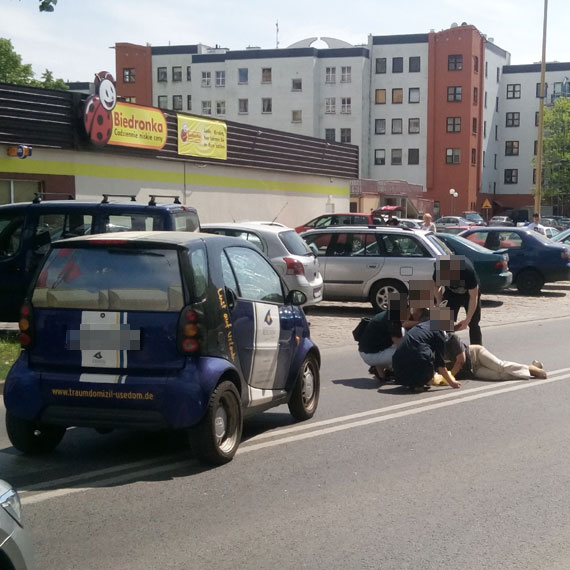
[457, 283]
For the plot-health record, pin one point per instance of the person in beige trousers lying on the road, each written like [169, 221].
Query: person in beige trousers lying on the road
[475, 361]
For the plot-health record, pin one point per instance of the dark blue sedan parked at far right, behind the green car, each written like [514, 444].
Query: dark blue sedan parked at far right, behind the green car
[533, 258]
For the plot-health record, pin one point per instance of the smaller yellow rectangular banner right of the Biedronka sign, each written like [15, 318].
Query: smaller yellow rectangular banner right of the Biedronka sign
[202, 137]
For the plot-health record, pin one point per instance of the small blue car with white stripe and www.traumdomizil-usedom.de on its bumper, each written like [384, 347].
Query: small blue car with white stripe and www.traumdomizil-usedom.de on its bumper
[158, 331]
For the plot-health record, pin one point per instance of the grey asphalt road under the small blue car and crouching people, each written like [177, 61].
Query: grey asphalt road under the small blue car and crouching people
[451, 479]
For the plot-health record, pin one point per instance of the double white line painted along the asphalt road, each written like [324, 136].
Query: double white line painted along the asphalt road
[423, 405]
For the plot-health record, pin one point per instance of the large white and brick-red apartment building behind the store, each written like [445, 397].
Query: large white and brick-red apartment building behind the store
[429, 109]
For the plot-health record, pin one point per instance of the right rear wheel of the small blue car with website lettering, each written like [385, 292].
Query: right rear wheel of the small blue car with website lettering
[217, 436]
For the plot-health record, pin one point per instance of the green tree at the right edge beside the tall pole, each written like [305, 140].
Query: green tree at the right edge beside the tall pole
[556, 150]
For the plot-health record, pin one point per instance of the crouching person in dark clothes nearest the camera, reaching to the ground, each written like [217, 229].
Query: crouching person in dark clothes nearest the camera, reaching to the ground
[421, 352]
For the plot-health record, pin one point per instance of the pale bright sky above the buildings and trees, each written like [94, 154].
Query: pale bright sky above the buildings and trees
[74, 41]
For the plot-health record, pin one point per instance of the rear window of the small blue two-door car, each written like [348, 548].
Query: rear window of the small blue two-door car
[110, 278]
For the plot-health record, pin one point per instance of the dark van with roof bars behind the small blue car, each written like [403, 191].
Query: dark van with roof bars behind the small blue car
[27, 229]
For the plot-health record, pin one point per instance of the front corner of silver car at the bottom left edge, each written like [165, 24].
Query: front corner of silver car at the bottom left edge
[15, 545]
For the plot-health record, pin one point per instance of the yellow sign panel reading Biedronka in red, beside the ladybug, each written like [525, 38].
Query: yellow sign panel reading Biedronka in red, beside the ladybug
[139, 127]
